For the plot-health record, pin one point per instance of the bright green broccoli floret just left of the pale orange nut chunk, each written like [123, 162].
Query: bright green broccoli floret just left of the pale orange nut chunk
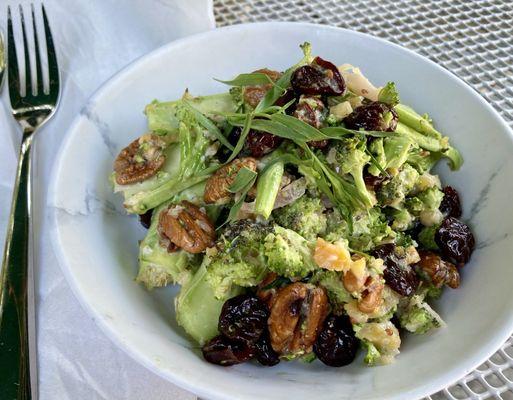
[288, 253]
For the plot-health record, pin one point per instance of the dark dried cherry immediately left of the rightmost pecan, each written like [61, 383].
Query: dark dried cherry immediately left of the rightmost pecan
[398, 274]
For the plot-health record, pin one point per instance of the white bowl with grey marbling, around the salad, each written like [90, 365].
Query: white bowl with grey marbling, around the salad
[96, 241]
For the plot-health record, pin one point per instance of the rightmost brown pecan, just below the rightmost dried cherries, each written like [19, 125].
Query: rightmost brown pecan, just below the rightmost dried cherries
[440, 272]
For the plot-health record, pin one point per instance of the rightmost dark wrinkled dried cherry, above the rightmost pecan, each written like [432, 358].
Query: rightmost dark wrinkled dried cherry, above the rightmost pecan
[455, 240]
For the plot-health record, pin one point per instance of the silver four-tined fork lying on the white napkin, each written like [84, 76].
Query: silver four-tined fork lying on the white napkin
[32, 105]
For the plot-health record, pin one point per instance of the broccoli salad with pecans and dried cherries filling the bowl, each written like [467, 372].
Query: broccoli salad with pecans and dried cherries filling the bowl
[299, 213]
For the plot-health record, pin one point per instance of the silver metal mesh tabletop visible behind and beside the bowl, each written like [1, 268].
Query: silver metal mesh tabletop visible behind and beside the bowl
[473, 39]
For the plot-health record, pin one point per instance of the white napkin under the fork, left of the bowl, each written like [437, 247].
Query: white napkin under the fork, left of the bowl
[94, 39]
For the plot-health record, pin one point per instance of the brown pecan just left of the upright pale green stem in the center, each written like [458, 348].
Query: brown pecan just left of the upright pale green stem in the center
[216, 188]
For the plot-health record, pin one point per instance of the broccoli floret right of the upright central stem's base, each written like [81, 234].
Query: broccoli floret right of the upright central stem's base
[304, 216]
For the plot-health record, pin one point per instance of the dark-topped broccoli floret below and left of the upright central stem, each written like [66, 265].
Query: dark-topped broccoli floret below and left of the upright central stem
[237, 258]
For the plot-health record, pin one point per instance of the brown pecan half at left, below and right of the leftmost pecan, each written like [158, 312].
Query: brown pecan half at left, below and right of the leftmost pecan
[186, 226]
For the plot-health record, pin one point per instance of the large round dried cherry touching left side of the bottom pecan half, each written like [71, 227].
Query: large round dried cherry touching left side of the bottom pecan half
[243, 318]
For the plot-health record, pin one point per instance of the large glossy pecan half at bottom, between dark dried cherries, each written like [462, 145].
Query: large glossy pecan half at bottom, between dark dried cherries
[297, 314]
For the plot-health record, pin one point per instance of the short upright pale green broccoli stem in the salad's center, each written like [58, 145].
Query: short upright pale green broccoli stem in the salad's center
[268, 186]
